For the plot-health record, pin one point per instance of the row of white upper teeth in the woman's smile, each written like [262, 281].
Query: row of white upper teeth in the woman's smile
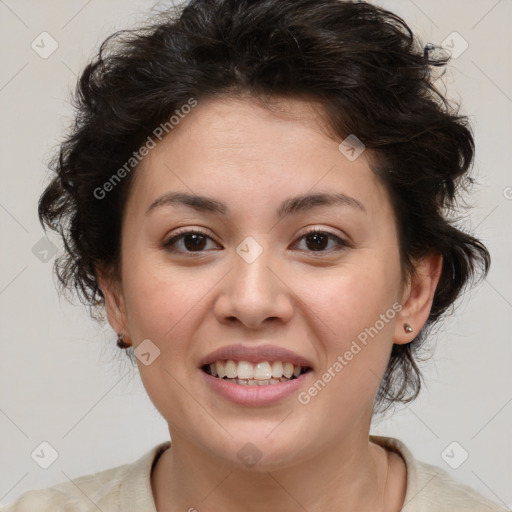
[263, 370]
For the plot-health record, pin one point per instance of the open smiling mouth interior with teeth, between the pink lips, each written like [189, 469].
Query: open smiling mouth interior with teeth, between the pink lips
[263, 373]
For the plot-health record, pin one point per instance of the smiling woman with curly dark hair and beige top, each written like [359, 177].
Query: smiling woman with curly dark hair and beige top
[257, 194]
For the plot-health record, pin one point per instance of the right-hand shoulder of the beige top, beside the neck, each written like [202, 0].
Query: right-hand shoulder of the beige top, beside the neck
[432, 488]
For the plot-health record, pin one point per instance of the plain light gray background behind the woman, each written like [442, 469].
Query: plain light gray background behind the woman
[59, 379]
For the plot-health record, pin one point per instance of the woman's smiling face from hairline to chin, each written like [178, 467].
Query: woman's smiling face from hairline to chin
[253, 279]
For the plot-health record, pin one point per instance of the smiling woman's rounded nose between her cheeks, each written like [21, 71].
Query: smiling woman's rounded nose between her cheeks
[254, 294]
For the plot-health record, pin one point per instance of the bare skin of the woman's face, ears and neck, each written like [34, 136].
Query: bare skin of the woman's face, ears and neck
[316, 456]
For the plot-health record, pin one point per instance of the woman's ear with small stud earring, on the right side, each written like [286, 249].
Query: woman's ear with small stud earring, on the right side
[417, 297]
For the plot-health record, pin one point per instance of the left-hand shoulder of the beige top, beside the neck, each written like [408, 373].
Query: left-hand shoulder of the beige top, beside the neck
[125, 487]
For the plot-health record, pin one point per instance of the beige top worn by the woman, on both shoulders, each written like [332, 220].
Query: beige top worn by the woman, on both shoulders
[127, 488]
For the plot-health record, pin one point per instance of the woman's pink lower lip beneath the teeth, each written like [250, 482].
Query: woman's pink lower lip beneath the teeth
[255, 395]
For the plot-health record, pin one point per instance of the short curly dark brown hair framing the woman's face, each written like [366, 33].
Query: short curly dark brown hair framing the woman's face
[362, 63]
